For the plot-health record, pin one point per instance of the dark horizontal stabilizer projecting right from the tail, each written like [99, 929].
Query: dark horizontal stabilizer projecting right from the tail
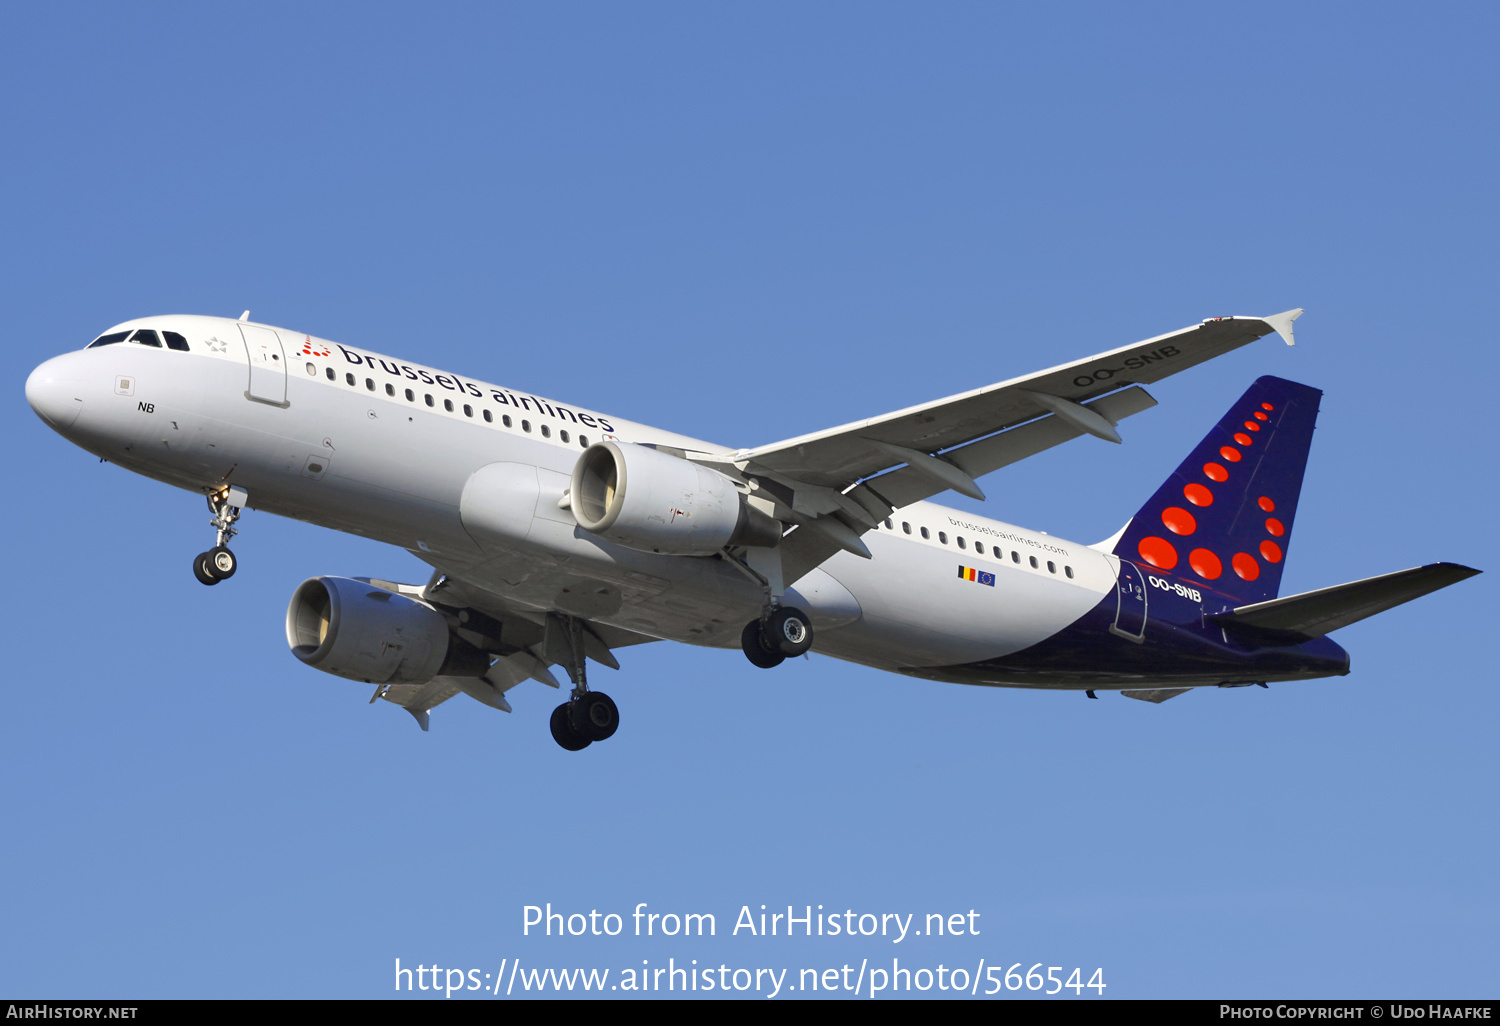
[1315, 614]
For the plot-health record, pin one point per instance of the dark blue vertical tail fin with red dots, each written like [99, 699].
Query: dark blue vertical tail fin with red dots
[1223, 521]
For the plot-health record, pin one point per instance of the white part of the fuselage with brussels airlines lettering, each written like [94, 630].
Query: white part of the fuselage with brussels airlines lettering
[328, 434]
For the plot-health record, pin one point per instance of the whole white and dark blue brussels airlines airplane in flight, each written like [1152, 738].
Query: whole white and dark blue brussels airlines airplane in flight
[560, 536]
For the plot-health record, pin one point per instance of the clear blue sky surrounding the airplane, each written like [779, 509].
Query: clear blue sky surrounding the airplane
[746, 223]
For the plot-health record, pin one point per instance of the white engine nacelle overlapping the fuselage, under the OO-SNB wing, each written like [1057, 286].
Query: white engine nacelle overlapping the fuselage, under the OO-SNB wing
[653, 502]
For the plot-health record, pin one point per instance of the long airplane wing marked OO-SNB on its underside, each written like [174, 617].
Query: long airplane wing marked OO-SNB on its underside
[838, 484]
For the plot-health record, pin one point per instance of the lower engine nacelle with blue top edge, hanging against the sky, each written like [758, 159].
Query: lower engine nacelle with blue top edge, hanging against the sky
[367, 634]
